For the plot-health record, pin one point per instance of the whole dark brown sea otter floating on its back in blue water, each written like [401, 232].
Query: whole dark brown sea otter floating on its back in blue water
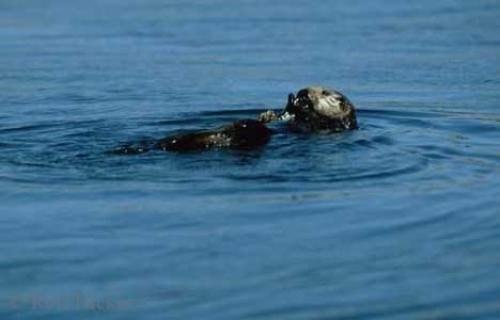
[313, 109]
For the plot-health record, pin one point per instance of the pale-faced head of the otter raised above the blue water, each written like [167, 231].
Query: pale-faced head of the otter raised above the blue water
[317, 109]
